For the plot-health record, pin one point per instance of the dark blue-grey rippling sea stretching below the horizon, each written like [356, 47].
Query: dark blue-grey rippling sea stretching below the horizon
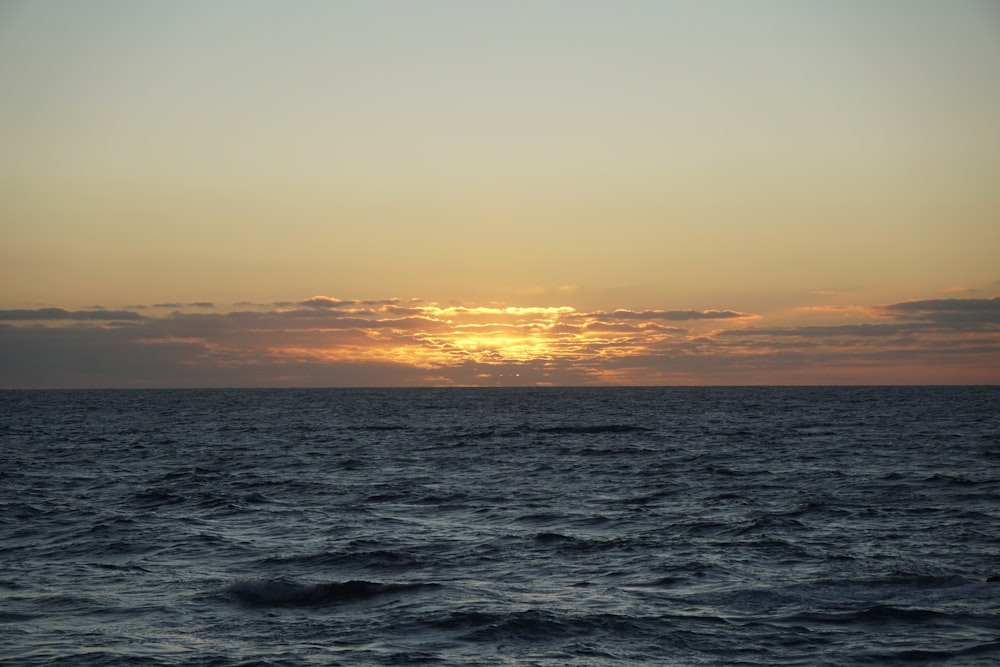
[680, 526]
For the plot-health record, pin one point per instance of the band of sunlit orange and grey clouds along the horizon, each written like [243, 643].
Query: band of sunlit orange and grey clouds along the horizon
[327, 341]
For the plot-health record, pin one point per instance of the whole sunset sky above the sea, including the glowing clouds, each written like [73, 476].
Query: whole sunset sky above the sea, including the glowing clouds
[550, 192]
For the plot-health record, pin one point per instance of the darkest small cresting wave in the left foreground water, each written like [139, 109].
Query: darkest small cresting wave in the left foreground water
[281, 593]
